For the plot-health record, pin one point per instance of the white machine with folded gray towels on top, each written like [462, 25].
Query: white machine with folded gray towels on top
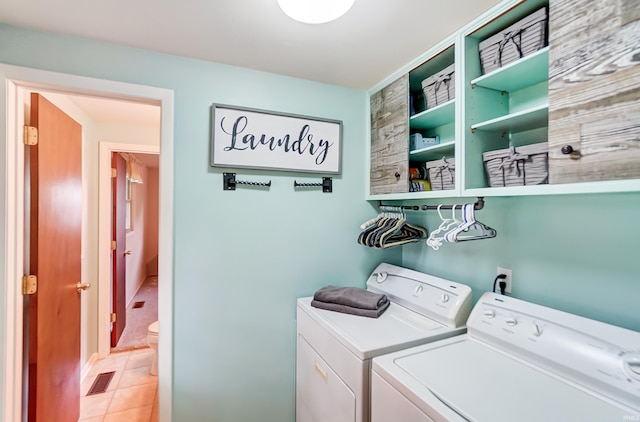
[334, 350]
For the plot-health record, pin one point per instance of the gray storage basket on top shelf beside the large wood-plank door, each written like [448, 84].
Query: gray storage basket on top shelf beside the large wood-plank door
[524, 37]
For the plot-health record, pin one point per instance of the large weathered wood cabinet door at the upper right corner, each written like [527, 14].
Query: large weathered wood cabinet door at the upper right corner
[594, 90]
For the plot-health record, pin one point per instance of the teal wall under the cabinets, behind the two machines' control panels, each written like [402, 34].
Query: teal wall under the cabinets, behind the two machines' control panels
[577, 253]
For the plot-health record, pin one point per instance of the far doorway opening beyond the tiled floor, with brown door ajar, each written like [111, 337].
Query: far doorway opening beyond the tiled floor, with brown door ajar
[134, 290]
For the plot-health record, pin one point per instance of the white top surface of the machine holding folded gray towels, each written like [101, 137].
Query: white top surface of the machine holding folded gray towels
[397, 328]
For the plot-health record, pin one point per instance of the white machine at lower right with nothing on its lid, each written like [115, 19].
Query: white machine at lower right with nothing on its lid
[517, 361]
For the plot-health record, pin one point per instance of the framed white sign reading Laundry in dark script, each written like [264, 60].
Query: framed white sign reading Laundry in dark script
[251, 138]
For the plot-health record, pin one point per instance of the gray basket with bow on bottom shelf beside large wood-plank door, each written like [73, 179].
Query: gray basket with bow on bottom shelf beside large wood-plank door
[526, 165]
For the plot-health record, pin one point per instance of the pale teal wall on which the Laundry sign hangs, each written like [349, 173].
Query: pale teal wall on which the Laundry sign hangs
[243, 257]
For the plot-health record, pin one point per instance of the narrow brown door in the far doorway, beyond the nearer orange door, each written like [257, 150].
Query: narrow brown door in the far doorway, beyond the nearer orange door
[118, 273]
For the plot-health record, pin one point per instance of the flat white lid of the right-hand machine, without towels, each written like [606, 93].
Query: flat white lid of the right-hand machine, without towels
[482, 384]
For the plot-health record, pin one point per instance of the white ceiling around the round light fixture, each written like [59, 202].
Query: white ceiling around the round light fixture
[373, 40]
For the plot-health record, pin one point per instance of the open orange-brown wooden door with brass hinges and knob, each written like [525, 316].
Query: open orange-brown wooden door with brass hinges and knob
[55, 227]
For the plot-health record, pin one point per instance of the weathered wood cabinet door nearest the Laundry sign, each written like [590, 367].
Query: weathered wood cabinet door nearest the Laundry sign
[390, 138]
